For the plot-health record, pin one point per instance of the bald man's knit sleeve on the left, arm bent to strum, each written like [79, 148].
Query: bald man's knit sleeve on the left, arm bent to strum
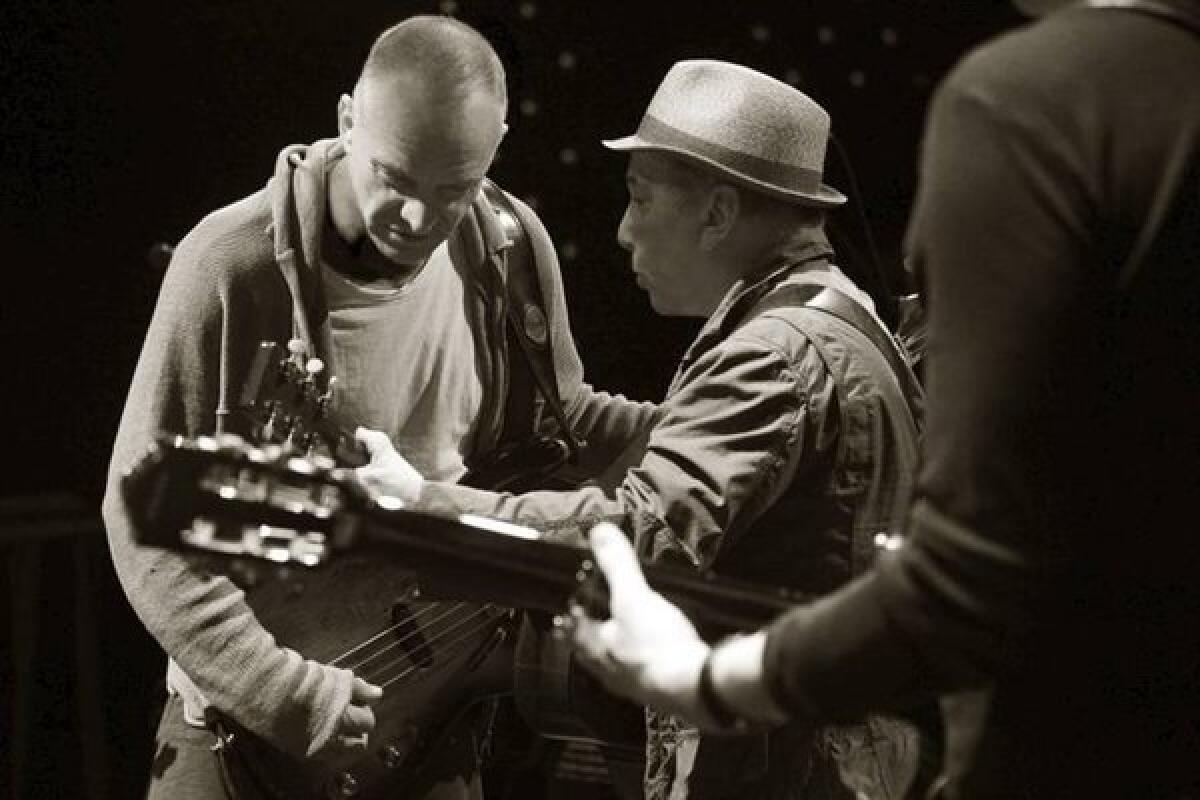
[202, 327]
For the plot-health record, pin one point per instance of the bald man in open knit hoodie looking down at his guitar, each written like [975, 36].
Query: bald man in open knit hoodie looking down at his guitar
[371, 248]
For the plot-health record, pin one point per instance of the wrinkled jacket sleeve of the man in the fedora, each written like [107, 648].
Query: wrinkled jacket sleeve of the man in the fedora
[727, 443]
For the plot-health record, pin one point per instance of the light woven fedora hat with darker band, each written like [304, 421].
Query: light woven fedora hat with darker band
[751, 128]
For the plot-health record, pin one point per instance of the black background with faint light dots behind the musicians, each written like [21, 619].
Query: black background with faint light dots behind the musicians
[127, 123]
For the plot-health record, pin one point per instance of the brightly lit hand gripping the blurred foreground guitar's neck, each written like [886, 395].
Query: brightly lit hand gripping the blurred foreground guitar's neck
[647, 651]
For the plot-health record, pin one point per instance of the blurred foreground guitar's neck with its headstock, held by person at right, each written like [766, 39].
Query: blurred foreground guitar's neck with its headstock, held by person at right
[293, 512]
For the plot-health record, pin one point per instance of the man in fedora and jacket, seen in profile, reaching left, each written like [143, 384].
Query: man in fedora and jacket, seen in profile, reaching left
[787, 440]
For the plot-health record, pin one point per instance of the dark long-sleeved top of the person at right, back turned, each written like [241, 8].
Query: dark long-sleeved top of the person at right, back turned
[1051, 574]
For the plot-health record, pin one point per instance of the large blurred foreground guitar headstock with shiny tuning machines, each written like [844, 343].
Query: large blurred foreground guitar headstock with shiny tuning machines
[224, 496]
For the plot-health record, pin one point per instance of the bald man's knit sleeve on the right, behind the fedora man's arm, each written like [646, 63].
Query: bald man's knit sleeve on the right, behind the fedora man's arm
[610, 425]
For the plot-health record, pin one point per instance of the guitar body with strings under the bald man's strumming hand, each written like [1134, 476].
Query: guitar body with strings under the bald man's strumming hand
[437, 663]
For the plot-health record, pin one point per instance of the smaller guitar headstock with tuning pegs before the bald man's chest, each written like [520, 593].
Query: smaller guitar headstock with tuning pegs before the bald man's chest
[287, 400]
